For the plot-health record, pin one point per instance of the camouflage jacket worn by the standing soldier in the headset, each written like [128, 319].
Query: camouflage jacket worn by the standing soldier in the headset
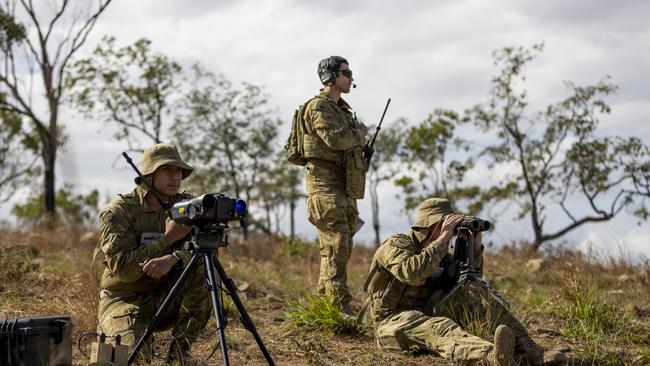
[330, 130]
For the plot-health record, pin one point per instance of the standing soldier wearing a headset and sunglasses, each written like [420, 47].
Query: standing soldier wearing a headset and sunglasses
[333, 142]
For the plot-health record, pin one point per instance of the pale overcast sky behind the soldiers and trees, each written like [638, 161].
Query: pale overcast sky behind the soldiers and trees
[422, 54]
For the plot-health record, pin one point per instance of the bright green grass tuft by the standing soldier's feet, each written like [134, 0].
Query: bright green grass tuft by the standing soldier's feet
[321, 313]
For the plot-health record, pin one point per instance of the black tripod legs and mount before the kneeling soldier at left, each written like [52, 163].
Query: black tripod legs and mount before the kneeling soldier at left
[204, 243]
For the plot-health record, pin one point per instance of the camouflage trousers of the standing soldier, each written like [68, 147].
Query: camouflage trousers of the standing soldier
[335, 217]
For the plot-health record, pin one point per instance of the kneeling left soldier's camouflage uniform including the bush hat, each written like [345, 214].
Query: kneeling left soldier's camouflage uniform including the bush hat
[130, 232]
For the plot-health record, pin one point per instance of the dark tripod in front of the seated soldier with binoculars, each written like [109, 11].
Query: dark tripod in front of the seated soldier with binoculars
[463, 272]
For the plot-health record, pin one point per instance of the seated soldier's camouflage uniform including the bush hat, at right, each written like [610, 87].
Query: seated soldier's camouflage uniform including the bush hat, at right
[403, 294]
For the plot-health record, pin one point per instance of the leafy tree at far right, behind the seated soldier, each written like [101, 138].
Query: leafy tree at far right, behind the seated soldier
[555, 156]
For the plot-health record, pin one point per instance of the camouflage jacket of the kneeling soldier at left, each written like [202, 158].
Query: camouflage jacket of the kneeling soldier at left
[130, 232]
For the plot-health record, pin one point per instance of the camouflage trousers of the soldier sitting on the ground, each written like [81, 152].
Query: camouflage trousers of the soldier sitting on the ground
[446, 331]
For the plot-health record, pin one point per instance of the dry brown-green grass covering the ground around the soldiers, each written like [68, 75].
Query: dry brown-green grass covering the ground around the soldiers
[577, 301]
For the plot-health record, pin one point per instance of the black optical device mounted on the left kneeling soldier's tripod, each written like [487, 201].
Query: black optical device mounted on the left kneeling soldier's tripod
[207, 209]
